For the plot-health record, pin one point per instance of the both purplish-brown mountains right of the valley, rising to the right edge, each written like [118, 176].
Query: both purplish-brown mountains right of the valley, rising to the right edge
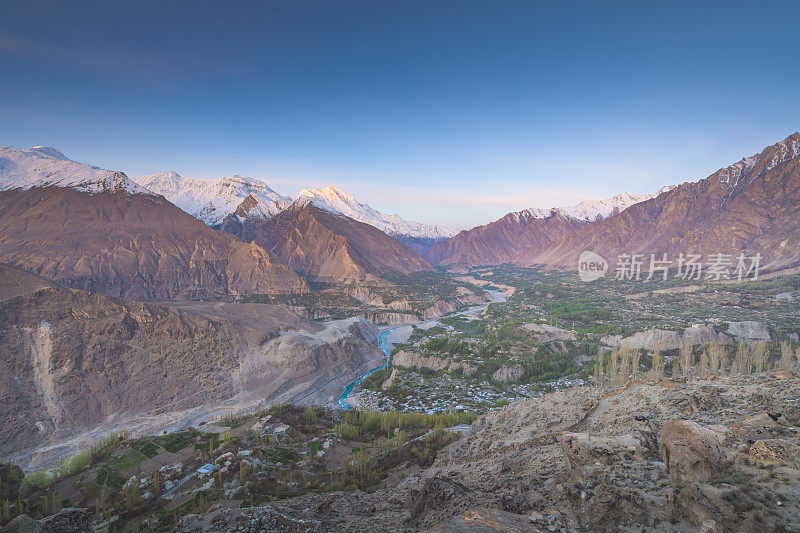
[751, 206]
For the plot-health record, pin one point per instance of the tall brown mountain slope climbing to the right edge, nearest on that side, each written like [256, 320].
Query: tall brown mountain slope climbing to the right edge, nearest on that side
[751, 206]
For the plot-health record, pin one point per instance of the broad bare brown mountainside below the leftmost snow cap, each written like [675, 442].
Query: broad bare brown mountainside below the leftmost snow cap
[131, 245]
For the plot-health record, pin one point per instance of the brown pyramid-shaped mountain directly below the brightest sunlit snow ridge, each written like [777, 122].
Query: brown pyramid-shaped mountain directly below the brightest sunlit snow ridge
[328, 247]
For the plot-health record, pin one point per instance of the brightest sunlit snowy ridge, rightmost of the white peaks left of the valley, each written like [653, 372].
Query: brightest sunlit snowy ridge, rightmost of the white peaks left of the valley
[334, 200]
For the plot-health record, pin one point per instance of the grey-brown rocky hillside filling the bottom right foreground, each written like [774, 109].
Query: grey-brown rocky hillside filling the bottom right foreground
[713, 455]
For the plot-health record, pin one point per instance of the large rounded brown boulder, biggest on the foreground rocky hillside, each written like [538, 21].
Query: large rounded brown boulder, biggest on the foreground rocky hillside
[690, 451]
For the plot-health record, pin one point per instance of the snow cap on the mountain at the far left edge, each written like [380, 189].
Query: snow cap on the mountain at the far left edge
[45, 166]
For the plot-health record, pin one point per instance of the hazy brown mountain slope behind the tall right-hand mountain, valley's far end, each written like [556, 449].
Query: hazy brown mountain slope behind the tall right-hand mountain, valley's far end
[501, 241]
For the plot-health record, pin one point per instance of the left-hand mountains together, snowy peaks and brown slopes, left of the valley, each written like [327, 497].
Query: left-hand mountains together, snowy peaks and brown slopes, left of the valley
[98, 230]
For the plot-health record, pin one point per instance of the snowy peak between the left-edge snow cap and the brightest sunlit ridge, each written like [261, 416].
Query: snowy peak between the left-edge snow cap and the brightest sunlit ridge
[213, 200]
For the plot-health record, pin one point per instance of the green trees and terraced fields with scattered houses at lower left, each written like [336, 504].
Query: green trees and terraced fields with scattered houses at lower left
[114, 478]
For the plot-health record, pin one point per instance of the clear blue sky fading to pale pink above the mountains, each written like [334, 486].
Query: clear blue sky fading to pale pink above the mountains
[451, 113]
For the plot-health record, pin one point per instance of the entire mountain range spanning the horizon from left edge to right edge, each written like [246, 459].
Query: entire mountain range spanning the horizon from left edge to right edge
[158, 236]
